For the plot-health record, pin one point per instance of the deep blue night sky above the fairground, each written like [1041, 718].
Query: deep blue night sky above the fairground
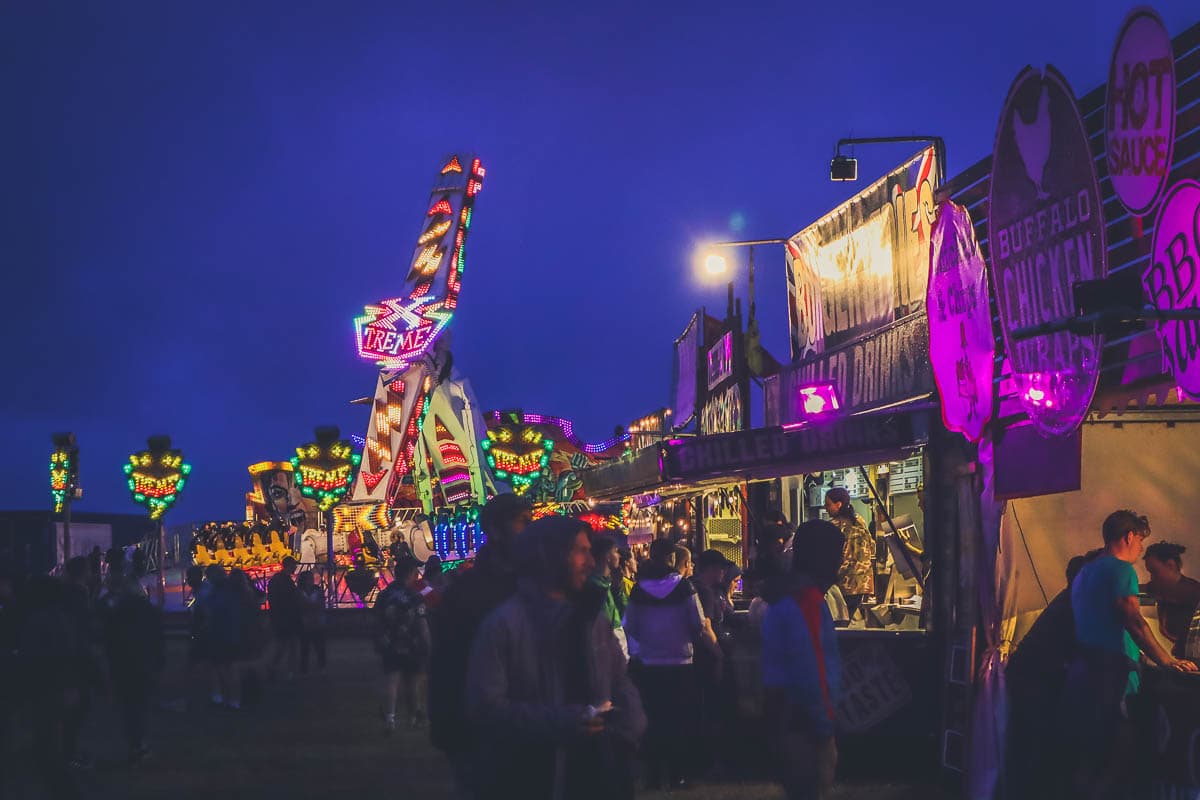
[200, 197]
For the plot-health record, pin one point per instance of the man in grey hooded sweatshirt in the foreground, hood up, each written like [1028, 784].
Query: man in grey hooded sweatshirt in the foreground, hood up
[555, 712]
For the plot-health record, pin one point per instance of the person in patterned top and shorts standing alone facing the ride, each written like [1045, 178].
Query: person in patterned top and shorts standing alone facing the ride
[404, 645]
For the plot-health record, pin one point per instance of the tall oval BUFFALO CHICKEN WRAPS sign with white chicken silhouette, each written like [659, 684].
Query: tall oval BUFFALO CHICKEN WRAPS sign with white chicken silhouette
[1046, 231]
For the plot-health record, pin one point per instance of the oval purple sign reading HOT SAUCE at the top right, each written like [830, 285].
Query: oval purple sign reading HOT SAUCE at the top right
[1139, 130]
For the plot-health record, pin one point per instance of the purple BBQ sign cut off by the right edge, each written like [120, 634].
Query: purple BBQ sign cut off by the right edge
[1173, 282]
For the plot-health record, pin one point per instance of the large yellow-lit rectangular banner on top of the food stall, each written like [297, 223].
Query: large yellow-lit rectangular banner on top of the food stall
[863, 264]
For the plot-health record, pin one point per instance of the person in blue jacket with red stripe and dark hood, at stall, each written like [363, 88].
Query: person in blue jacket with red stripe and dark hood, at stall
[801, 666]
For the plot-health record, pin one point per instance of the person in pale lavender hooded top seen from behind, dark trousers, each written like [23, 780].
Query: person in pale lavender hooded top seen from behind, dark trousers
[663, 621]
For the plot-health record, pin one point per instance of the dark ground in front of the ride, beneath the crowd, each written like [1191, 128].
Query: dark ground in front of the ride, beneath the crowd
[317, 738]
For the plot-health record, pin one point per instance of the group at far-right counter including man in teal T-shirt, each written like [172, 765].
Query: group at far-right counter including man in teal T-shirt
[1075, 681]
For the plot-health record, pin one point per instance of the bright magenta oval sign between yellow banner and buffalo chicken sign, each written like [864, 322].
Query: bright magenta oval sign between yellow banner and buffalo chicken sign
[962, 346]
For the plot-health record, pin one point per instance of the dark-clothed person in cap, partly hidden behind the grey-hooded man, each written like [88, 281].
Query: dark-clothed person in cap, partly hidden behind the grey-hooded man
[457, 618]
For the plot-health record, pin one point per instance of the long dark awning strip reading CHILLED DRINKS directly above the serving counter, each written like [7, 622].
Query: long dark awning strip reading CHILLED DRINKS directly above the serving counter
[764, 454]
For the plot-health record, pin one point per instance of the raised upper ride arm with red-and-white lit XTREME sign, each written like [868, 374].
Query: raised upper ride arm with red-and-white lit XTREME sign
[400, 330]
